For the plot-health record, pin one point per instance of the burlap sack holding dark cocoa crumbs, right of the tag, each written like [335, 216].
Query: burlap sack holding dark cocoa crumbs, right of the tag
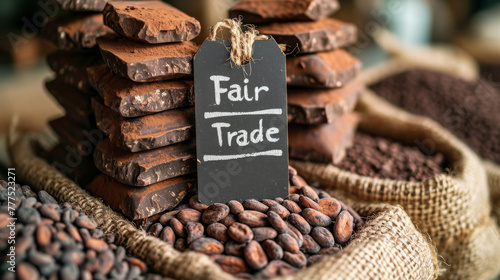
[454, 210]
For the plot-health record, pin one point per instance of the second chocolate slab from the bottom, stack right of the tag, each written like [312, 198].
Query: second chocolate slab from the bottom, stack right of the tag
[306, 106]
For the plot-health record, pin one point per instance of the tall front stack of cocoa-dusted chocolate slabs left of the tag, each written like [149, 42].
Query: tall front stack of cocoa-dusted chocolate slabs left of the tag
[145, 107]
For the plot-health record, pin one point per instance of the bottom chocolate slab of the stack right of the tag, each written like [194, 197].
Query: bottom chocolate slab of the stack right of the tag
[322, 143]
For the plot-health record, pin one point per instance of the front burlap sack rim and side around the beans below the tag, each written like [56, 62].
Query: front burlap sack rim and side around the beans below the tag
[387, 247]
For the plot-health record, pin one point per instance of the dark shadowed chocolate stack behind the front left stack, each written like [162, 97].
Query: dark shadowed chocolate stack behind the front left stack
[74, 35]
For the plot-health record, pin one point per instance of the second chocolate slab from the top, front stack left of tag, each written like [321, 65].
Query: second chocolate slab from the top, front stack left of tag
[142, 62]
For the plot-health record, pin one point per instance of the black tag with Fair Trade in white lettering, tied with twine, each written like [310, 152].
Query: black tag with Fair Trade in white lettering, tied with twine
[241, 123]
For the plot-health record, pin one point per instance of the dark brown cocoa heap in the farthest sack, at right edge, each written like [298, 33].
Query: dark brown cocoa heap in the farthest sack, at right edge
[471, 110]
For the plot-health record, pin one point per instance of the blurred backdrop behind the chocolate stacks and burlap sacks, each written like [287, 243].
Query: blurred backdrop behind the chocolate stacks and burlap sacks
[473, 26]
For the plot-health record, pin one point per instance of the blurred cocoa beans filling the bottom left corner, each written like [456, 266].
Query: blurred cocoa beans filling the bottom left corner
[55, 241]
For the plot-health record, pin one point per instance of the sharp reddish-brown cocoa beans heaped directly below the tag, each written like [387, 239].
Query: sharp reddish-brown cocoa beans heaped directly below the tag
[262, 239]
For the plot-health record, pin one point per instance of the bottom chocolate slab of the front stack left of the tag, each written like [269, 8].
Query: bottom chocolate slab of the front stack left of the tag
[140, 203]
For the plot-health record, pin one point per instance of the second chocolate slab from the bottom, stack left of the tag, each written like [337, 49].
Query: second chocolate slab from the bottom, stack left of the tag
[148, 167]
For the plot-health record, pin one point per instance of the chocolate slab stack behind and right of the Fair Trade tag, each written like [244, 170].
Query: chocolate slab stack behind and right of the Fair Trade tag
[322, 92]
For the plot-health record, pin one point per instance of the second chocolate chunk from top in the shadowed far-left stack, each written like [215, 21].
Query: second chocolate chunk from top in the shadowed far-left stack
[75, 31]
